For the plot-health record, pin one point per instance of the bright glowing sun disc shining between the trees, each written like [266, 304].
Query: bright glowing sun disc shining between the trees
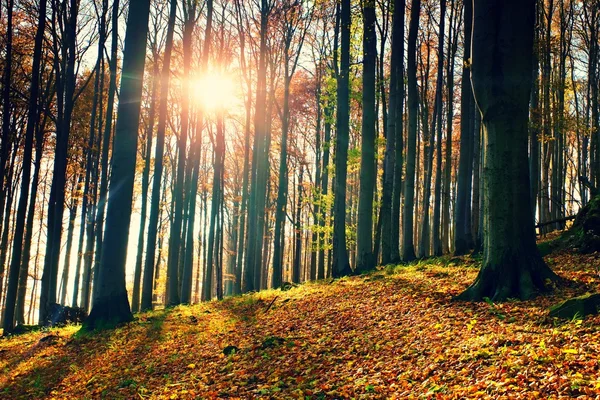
[214, 92]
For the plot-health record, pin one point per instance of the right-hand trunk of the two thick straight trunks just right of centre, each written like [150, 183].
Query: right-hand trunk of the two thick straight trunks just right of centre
[368, 176]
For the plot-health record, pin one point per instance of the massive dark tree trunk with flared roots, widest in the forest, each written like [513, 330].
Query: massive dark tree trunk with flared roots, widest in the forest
[501, 75]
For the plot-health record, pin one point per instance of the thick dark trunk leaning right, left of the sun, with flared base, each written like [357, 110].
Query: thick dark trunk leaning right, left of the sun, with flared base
[112, 305]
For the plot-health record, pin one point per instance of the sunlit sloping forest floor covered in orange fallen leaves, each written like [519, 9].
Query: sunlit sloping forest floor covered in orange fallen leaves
[394, 333]
